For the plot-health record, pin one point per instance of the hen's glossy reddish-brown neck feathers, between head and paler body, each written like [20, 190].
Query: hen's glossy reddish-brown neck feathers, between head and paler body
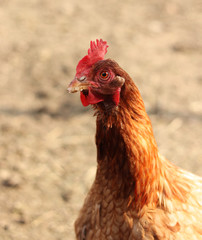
[127, 151]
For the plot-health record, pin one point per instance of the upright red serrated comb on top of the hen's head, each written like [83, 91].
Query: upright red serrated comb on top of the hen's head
[96, 52]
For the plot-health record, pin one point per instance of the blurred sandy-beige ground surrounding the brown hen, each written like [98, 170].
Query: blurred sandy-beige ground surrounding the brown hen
[47, 150]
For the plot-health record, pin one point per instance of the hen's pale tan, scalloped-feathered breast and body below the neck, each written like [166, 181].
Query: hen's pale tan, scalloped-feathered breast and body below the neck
[107, 215]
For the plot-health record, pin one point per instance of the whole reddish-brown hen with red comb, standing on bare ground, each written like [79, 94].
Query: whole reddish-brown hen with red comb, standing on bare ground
[137, 194]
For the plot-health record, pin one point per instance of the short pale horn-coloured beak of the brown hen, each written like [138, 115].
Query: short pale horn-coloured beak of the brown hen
[78, 84]
